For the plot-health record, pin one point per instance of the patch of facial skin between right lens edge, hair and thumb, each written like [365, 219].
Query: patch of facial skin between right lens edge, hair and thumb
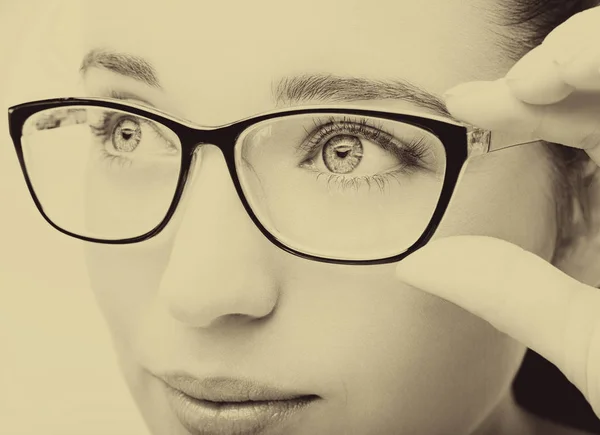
[507, 195]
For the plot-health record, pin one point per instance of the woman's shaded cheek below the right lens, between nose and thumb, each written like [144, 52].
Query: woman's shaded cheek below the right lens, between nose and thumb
[400, 354]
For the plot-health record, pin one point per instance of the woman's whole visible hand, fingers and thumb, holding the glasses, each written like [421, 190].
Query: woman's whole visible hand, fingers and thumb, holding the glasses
[552, 93]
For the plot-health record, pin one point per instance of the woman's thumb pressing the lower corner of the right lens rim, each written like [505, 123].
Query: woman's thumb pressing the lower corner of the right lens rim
[518, 293]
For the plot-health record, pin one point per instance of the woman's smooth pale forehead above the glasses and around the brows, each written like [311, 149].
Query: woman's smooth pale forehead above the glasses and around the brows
[219, 60]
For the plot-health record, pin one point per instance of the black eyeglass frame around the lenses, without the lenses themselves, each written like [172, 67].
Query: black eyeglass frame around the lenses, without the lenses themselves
[459, 143]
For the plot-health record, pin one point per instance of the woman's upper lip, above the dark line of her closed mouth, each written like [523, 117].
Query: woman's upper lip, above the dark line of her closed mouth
[228, 390]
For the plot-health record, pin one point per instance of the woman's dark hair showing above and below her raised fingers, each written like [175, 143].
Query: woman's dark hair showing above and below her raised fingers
[529, 22]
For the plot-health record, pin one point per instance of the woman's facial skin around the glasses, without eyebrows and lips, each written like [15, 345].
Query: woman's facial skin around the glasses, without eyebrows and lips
[212, 298]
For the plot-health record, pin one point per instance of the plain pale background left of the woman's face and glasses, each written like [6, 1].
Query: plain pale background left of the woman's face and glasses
[58, 374]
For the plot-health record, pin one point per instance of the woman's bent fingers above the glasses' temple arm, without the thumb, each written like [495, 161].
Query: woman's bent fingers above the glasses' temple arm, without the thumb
[552, 92]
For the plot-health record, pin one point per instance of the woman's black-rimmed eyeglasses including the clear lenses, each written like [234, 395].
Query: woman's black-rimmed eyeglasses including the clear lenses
[332, 184]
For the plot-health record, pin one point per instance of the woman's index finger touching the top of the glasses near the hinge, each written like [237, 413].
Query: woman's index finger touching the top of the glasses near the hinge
[574, 121]
